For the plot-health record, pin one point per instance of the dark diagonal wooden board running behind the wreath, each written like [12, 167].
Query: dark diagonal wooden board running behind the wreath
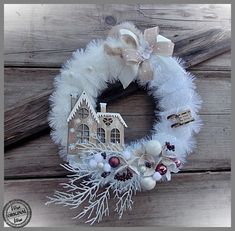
[193, 47]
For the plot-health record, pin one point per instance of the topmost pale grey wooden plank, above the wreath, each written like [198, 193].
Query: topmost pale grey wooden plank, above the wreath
[36, 35]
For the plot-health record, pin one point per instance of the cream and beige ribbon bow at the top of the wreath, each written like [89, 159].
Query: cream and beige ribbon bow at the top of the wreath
[139, 58]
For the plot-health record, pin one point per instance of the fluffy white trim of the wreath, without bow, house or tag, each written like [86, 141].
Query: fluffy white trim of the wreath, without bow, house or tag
[91, 69]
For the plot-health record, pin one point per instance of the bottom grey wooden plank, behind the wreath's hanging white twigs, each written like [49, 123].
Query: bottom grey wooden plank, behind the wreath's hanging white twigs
[199, 199]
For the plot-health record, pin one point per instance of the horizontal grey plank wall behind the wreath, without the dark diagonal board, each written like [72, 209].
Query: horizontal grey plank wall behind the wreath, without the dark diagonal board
[39, 38]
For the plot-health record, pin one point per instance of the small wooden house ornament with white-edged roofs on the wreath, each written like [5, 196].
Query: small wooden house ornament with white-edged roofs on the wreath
[93, 126]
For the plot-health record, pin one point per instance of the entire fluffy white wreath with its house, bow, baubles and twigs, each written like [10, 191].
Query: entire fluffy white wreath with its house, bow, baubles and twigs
[93, 142]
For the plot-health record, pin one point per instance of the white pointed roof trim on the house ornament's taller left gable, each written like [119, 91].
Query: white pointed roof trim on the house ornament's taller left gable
[82, 98]
